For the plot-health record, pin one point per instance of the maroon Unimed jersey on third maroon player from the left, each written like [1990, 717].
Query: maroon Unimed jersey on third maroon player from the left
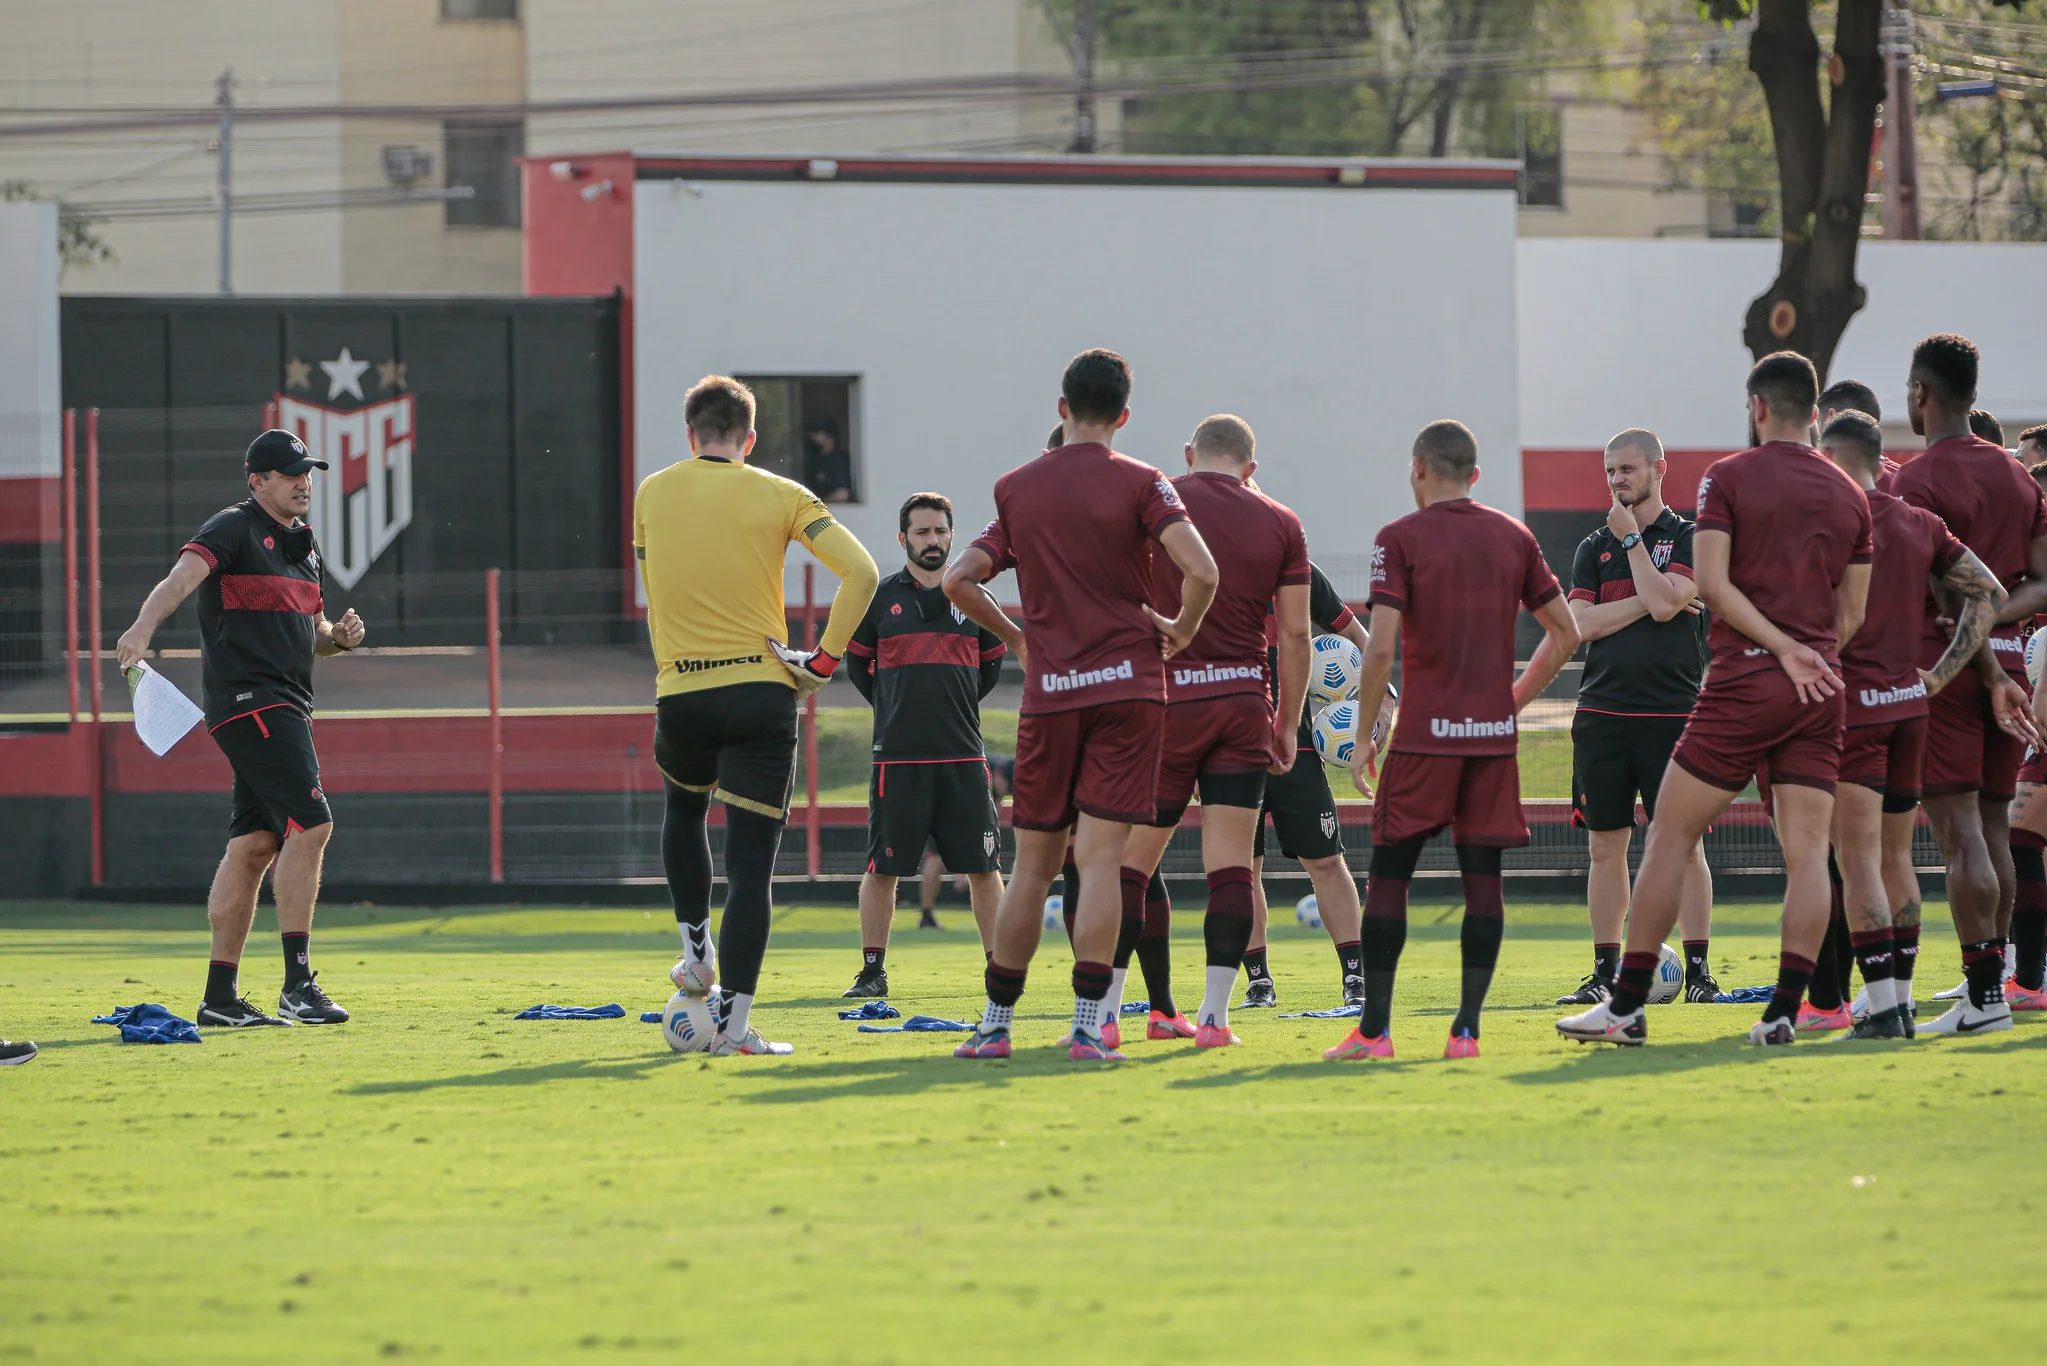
[1458, 572]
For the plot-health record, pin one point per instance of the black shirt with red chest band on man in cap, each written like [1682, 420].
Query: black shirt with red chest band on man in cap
[257, 613]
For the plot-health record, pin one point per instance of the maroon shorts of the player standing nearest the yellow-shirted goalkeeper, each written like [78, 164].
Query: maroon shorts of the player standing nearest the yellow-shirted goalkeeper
[1102, 761]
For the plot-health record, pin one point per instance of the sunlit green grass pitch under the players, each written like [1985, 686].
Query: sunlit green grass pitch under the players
[437, 1181]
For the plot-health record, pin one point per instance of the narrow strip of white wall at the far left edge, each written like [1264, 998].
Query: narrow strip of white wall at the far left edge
[30, 372]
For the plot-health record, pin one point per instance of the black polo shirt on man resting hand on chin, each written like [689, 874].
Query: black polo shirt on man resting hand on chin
[1647, 669]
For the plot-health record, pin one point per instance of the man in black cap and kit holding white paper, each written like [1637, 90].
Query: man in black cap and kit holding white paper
[261, 624]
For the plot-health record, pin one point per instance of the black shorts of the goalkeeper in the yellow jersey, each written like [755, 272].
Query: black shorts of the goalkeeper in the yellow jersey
[738, 742]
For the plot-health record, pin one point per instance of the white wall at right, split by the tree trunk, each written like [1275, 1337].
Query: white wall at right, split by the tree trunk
[1651, 333]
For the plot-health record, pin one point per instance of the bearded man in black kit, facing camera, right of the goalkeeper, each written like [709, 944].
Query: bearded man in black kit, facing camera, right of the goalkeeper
[924, 667]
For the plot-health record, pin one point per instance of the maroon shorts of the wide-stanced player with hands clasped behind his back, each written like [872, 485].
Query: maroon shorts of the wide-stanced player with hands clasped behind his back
[1751, 724]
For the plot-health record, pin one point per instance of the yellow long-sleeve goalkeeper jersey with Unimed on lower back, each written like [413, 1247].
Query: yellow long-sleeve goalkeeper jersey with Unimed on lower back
[711, 538]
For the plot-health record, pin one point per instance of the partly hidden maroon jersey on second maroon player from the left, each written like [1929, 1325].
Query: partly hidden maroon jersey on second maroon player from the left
[1260, 548]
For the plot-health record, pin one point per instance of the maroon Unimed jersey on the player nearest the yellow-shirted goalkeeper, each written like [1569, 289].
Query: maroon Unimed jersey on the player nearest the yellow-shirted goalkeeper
[1078, 527]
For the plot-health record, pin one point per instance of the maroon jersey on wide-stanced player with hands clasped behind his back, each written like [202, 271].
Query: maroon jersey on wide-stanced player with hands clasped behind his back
[1798, 523]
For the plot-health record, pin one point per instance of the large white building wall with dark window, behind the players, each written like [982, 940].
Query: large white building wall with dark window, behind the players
[1338, 323]
